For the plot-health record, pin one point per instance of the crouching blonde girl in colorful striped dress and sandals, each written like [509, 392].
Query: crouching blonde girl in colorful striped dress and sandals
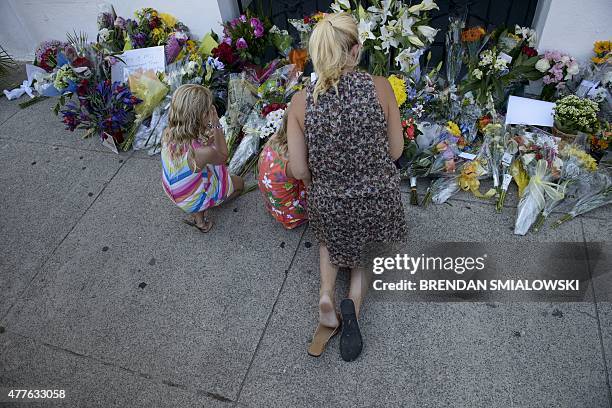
[194, 152]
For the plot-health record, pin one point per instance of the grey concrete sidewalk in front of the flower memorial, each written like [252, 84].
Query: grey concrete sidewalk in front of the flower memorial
[106, 294]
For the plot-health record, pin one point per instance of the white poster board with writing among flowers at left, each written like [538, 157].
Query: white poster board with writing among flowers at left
[141, 58]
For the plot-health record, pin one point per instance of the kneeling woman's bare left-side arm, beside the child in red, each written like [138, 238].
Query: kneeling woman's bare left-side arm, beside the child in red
[298, 151]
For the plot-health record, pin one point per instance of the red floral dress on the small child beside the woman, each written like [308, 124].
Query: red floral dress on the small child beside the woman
[284, 197]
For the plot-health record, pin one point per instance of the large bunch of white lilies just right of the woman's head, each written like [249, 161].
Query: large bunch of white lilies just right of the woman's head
[394, 34]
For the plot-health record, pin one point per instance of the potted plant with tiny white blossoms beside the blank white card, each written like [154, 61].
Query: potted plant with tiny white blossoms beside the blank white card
[574, 114]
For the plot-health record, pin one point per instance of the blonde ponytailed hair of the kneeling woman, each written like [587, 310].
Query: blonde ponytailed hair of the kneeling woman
[330, 47]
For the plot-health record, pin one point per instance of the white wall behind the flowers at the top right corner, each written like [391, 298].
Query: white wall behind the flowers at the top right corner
[573, 26]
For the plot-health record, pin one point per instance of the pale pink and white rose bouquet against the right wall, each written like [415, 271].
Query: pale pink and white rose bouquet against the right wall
[557, 68]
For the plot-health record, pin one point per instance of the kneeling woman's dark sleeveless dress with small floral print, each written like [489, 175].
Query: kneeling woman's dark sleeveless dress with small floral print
[354, 198]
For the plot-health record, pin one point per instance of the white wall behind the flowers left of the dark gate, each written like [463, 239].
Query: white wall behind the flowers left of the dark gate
[25, 23]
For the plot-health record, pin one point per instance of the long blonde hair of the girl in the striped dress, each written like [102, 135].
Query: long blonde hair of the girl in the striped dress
[188, 118]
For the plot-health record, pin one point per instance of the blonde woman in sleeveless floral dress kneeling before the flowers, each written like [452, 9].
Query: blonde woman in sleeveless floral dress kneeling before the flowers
[344, 134]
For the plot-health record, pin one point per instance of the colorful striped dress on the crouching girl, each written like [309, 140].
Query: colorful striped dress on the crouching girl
[194, 191]
